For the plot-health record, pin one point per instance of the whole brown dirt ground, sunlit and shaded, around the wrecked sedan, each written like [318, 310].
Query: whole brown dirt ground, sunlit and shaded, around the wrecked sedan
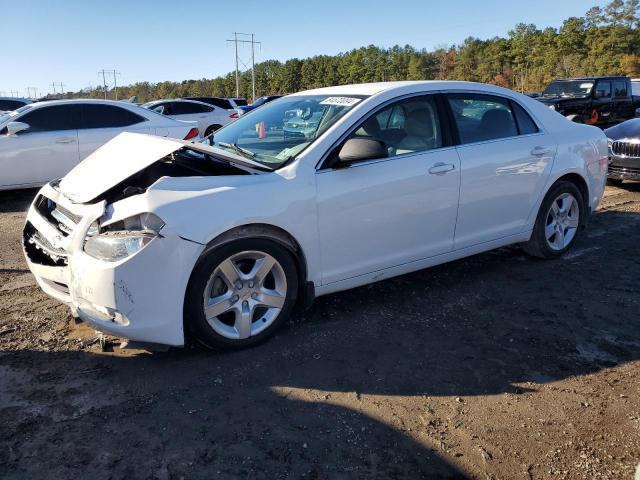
[496, 366]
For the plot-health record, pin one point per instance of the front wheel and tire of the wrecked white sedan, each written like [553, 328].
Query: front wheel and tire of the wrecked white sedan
[237, 315]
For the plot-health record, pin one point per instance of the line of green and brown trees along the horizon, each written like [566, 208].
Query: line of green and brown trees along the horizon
[605, 41]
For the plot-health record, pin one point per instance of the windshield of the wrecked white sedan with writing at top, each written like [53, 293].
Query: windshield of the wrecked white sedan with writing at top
[281, 129]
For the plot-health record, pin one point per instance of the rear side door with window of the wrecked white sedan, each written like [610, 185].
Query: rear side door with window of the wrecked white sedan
[505, 162]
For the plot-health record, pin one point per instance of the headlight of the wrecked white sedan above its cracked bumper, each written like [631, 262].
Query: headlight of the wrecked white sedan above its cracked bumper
[121, 239]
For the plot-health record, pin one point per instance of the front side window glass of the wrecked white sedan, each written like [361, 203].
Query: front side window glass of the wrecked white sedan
[408, 126]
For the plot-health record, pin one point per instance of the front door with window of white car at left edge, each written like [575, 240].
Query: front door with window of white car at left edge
[47, 150]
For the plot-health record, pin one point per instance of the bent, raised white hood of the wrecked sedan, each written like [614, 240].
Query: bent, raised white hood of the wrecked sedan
[126, 155]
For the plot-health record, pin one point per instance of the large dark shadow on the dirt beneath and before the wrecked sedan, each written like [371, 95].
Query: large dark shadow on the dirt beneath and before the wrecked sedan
[470, 328]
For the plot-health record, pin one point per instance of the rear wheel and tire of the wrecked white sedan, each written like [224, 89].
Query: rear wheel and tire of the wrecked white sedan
[555, 233]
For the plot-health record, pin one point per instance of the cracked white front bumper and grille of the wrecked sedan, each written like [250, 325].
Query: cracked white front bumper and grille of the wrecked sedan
[139, 297]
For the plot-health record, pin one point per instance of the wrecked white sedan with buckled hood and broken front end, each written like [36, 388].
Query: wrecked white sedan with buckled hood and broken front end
[163, 241]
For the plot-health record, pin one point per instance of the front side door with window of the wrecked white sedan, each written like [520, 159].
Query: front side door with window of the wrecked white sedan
[380, 213]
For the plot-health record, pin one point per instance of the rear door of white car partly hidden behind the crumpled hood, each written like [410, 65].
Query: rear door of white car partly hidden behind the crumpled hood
[102, 122]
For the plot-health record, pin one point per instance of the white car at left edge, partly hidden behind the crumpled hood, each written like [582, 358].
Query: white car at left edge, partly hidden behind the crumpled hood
[42, 141]
